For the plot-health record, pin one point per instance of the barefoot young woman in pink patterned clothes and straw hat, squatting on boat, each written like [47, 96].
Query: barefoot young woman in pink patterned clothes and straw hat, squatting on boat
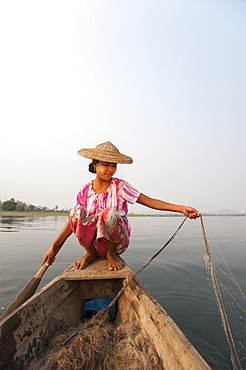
[99, 216]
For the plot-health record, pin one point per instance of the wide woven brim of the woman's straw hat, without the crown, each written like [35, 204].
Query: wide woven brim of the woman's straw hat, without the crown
[106, 156]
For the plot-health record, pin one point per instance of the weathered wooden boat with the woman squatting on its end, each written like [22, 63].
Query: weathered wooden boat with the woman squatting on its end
[64, 299]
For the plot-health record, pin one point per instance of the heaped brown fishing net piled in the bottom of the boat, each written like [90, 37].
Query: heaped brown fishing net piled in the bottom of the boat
[98, 344]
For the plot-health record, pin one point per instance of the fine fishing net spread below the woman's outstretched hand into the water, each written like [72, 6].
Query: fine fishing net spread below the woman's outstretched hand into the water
[230, 300]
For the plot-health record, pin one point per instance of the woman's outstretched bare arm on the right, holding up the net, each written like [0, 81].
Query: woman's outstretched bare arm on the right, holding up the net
[164, 206]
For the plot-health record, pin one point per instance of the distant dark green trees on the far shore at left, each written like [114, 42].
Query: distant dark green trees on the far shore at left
[19, 206]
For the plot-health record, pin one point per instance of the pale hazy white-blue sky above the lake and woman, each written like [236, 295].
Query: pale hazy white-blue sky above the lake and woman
[164, 81]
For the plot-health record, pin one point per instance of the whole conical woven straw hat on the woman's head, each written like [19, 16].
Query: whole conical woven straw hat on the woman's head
[106, 152]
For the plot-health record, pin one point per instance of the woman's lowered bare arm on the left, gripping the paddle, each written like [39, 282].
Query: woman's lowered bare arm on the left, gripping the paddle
[49, 256]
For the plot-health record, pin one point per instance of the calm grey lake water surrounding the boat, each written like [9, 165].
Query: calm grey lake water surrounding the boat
[177, 278]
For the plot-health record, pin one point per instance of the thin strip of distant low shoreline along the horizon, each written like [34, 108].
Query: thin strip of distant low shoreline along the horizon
[65, 213]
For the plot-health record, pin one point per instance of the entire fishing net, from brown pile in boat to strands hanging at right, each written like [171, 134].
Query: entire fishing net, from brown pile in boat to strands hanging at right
[98, 344]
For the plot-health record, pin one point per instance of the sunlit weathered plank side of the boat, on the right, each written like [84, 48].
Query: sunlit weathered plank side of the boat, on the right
[176, 352]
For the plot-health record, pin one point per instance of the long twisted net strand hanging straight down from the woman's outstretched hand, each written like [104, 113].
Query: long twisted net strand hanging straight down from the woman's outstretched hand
[225, 323]
